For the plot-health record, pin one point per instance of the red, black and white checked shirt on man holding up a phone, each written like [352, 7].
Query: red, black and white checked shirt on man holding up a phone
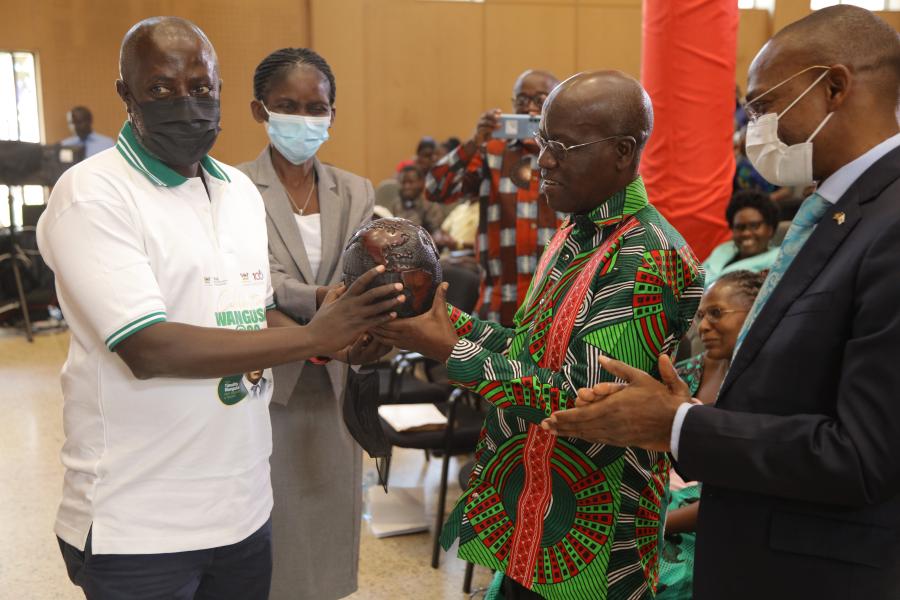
[514, 223]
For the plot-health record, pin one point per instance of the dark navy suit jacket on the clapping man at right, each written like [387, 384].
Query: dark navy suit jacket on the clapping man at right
[800, 458]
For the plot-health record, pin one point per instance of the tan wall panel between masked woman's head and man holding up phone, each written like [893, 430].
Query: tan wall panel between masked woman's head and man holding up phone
[423, 76]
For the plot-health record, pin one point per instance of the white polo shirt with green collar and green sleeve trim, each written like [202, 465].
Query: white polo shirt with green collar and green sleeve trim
[162, 465]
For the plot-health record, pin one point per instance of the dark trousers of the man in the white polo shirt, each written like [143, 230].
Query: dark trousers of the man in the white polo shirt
[241, 571]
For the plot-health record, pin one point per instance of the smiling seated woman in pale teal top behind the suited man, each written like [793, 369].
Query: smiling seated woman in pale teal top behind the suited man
[753, 219]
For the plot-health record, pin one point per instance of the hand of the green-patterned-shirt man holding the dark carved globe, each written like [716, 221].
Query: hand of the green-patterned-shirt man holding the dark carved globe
[430, 334]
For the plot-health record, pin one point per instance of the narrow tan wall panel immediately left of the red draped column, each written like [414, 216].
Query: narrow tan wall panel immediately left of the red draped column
[609, 37]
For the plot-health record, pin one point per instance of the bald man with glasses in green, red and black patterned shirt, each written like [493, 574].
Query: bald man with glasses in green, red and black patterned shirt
[561, 517]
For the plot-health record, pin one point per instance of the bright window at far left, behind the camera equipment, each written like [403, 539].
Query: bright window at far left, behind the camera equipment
[19, 120]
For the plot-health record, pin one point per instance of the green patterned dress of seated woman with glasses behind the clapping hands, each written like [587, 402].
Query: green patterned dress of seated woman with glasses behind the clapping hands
[676, 565]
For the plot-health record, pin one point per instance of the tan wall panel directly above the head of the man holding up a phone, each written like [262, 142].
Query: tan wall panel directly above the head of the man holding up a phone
[525, 36]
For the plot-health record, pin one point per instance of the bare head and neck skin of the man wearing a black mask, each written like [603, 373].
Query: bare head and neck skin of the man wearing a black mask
[166, 61]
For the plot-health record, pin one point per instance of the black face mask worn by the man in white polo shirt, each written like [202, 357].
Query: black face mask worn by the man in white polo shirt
[179, 132]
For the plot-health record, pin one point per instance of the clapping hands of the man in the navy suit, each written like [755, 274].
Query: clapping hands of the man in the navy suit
[637, 414]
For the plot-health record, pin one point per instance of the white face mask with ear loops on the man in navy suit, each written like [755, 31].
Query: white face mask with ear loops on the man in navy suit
[777, 162]
